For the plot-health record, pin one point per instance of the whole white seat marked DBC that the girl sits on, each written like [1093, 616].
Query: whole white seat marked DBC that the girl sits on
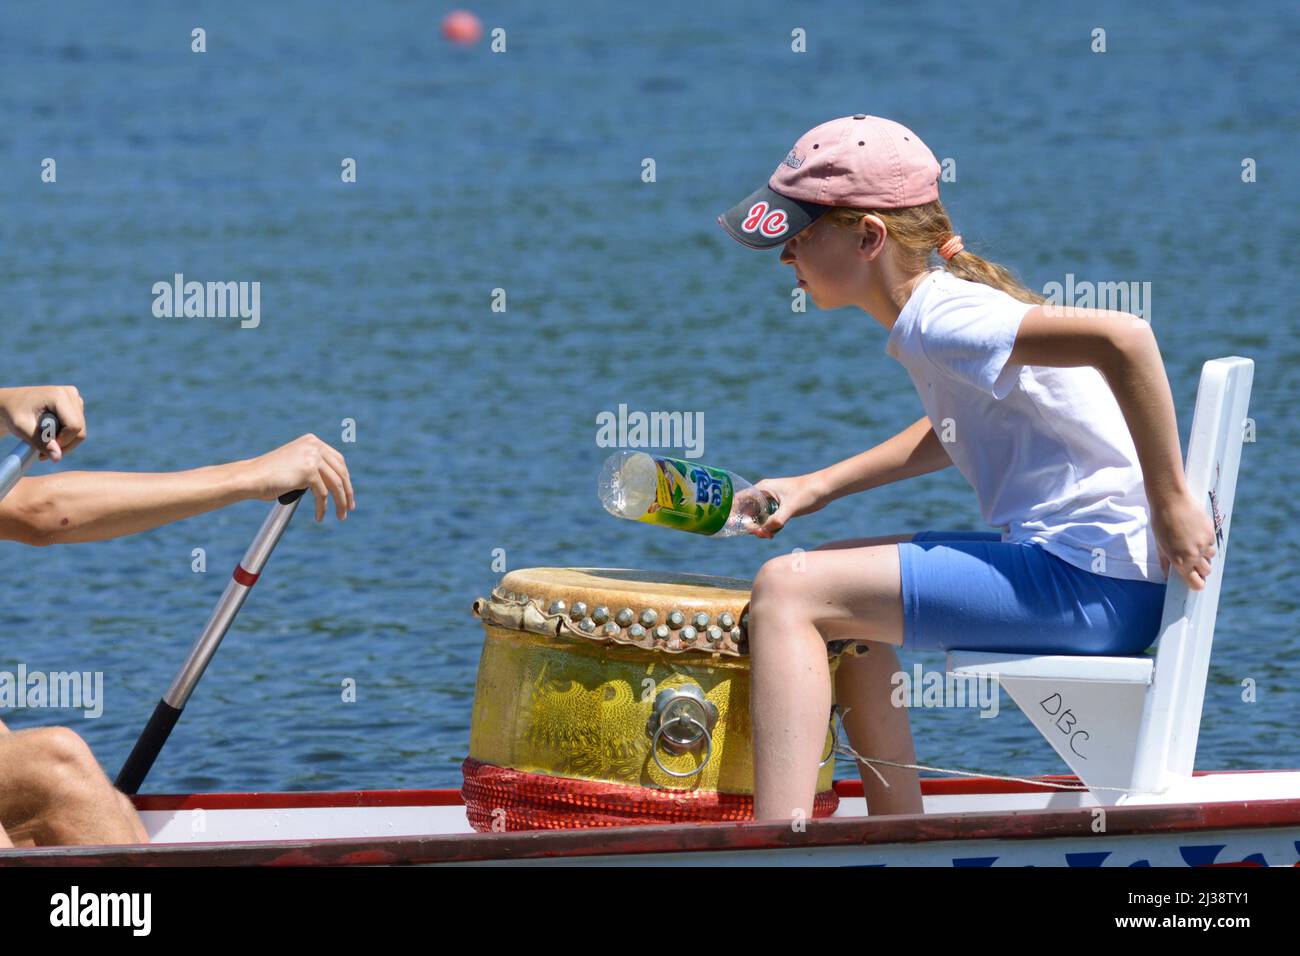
[1133, 723]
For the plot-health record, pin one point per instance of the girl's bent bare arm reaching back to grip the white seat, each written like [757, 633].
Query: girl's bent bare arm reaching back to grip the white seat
[1124, 349]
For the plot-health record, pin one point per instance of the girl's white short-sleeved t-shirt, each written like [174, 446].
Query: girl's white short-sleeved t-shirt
[1047, 451]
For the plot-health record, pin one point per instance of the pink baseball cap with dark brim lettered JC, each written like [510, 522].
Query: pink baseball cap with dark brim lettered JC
[860, 161]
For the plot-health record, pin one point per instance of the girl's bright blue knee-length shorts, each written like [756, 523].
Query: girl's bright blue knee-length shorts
[970, 590]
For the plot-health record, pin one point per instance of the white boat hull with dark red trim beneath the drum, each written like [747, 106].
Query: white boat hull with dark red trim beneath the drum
[968, 823]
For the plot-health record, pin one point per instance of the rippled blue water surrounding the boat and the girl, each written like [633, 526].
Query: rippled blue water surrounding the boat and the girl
[476, 430]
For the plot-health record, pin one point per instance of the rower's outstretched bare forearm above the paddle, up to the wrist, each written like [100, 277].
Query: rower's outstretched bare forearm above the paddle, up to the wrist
[94, 507]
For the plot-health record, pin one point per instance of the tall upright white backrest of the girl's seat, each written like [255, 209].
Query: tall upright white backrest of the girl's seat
[1172, 716]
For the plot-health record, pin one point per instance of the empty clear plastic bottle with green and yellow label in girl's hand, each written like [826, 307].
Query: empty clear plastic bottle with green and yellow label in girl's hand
[682, 495]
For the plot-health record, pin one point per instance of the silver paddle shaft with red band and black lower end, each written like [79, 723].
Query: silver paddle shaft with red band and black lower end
[168, 710]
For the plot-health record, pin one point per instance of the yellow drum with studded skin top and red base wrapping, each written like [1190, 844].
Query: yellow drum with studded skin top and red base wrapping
[612, 697]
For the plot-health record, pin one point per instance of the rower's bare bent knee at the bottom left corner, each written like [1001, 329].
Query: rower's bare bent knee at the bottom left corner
[55, 793]
